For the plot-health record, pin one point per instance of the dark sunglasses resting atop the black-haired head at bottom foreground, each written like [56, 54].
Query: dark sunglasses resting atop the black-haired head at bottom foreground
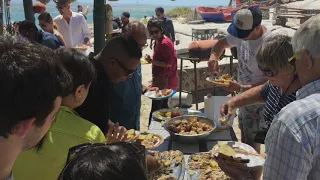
[137, 150]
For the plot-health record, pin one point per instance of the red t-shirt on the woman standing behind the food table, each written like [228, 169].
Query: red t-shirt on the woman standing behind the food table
[164, 52]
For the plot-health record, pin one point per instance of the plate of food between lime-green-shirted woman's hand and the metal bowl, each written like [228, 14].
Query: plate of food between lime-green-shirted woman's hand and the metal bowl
[149, 141]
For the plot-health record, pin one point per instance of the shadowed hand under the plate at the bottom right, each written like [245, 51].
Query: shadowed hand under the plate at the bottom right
[239, 170]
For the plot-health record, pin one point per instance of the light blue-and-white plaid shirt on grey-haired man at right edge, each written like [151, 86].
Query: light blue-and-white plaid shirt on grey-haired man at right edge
[293, 140]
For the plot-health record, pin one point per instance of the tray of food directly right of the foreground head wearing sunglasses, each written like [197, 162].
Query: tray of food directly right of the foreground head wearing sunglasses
[172, 166]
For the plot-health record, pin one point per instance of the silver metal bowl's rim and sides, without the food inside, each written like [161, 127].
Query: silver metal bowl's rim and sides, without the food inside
[190, 138]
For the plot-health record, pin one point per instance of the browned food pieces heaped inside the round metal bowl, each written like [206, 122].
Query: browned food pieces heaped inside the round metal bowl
[191, 127]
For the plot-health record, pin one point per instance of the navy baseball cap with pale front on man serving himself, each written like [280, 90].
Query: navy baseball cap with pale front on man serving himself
[245, 21]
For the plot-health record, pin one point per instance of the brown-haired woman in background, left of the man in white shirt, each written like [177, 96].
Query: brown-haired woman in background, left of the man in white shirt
[46, 23]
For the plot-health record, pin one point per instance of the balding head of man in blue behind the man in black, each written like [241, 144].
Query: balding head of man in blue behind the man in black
[138, 31]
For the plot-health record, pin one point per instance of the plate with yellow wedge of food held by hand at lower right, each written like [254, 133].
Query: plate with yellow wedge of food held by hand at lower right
[238, 152]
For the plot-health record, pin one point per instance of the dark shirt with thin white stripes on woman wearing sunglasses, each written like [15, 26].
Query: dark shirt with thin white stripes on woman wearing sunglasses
[274, 101]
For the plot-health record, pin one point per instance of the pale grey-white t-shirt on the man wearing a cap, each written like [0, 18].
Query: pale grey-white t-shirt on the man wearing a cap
[248, 70]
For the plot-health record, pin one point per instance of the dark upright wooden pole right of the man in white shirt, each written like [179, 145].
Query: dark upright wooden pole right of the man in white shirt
[99, 17]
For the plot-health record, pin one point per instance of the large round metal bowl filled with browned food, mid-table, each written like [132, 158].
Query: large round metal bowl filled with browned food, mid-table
[190, 128]
